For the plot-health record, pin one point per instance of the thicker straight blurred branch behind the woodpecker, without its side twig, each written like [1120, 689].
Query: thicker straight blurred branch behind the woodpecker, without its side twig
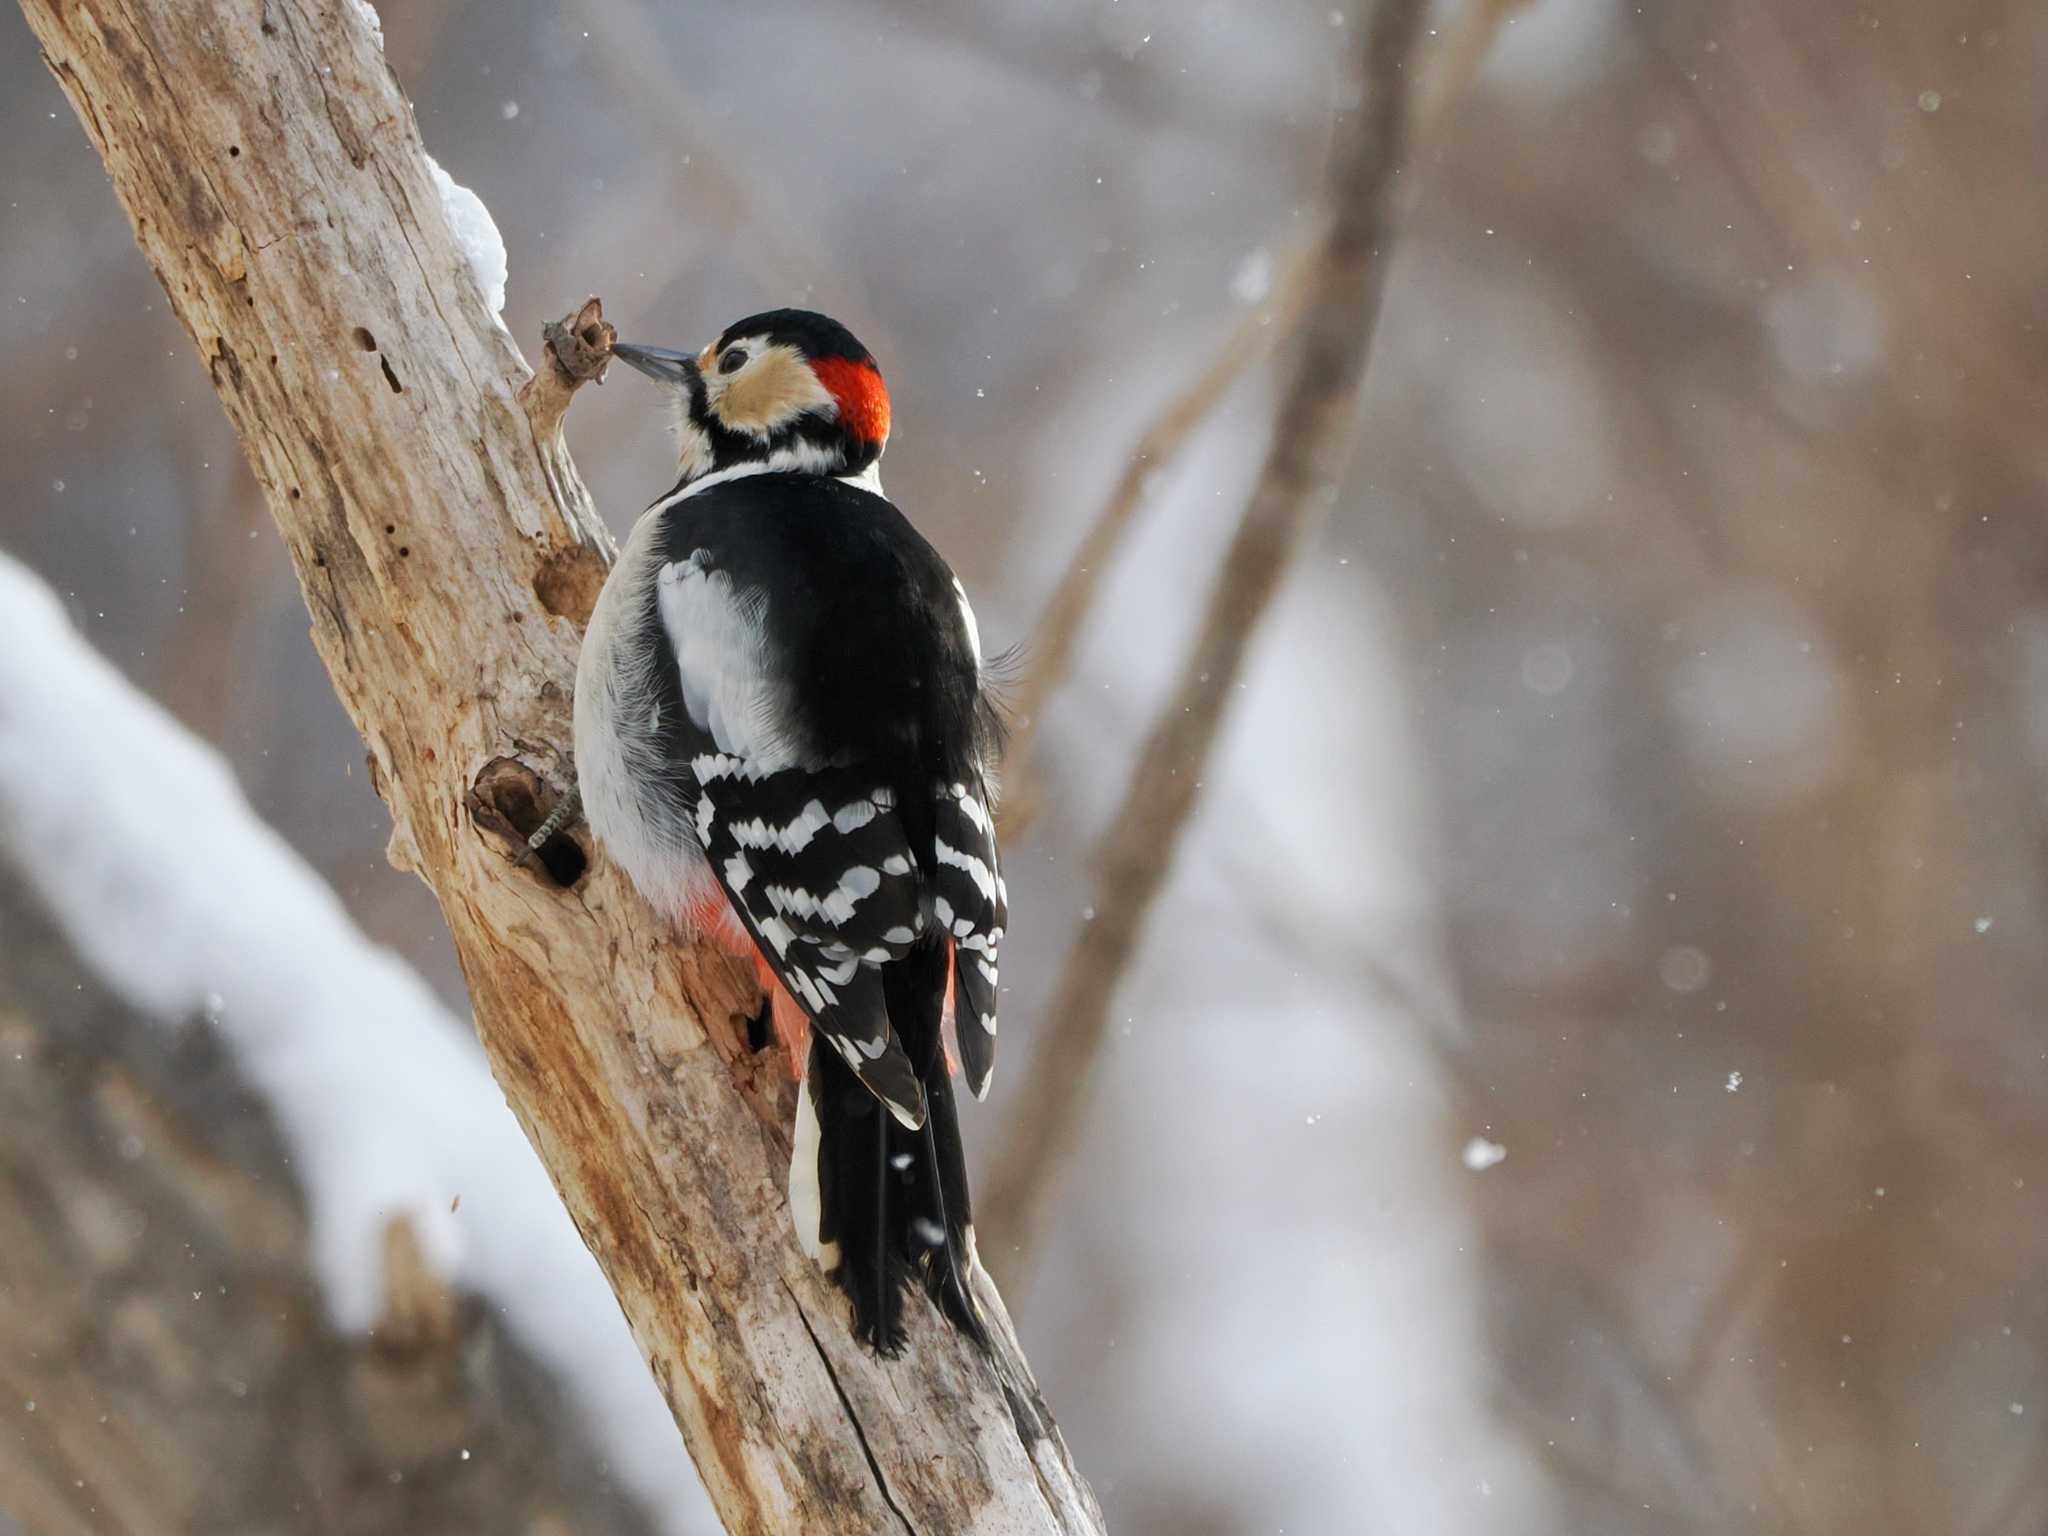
[1312, 441]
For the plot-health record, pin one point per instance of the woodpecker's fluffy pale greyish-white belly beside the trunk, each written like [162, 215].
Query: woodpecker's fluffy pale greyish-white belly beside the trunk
[622, 749]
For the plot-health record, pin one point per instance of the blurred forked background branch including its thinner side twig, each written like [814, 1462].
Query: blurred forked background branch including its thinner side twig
[1332, 294]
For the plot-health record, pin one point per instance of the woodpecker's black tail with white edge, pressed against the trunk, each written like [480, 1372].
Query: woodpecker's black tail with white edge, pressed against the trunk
[878, 1203]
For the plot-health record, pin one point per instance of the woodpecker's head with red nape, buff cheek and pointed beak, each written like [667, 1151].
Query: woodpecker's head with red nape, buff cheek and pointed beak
[787, 388]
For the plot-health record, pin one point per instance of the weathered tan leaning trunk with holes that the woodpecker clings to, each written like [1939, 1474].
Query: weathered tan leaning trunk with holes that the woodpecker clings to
[275, 181]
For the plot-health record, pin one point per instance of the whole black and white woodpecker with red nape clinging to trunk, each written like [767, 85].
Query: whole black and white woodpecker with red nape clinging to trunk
[785, 738]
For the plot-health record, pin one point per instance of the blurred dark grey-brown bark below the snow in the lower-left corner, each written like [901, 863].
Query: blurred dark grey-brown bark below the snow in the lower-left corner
[165, 1361]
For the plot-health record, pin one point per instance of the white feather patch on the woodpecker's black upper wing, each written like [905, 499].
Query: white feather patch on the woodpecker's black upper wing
[726, 685]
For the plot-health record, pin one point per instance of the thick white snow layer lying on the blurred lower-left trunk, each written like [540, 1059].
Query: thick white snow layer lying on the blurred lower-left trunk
[185, 902]
